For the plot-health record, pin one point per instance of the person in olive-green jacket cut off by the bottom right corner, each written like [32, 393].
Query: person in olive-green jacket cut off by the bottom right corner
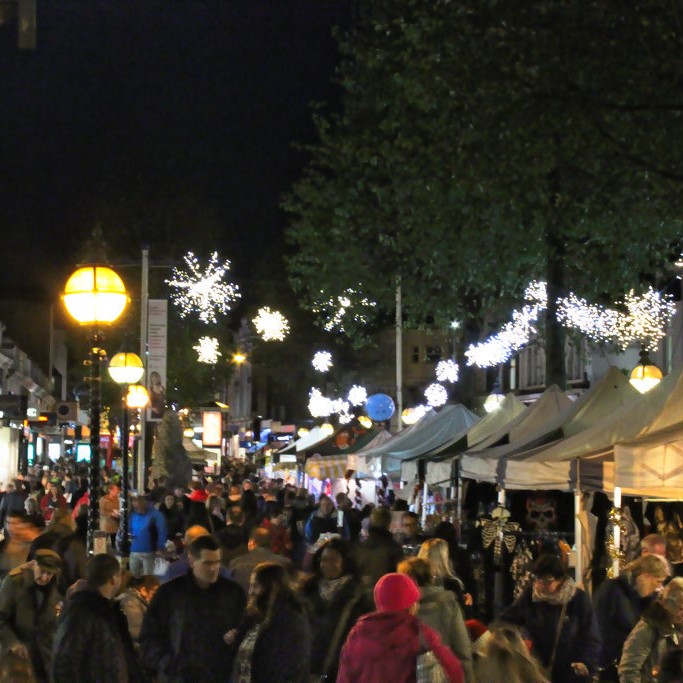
[658, 631]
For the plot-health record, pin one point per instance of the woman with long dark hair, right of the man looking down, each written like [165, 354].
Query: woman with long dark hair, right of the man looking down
[274, 641]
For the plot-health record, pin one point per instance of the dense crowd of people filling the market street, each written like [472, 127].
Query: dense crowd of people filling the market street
[245, 579]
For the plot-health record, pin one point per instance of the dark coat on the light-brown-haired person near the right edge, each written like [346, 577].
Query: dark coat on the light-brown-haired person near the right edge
[618, 607]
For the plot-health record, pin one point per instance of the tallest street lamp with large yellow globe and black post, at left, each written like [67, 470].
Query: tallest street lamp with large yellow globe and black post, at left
[95, 297]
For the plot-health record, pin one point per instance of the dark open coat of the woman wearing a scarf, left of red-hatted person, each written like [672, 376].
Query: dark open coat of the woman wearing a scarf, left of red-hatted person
[324, 616]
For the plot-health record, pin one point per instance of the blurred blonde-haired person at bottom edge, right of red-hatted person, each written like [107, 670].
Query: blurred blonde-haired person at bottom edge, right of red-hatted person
[506, 657]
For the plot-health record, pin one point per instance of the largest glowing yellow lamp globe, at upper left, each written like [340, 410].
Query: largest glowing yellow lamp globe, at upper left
[95, 295]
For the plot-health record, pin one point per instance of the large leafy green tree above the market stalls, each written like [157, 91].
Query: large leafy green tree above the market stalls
[482, 145]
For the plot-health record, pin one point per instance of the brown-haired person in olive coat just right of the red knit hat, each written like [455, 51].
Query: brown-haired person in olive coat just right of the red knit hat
[439, 609]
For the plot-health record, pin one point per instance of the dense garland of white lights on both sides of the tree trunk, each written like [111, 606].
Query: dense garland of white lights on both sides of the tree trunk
[643, 321]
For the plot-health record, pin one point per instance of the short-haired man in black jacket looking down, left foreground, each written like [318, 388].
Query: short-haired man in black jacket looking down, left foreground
[183, 629]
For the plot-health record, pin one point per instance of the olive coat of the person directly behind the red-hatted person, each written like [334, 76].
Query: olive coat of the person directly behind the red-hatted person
[439, 609]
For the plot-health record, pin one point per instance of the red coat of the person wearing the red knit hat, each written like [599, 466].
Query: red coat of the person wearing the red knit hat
[383, 647]
